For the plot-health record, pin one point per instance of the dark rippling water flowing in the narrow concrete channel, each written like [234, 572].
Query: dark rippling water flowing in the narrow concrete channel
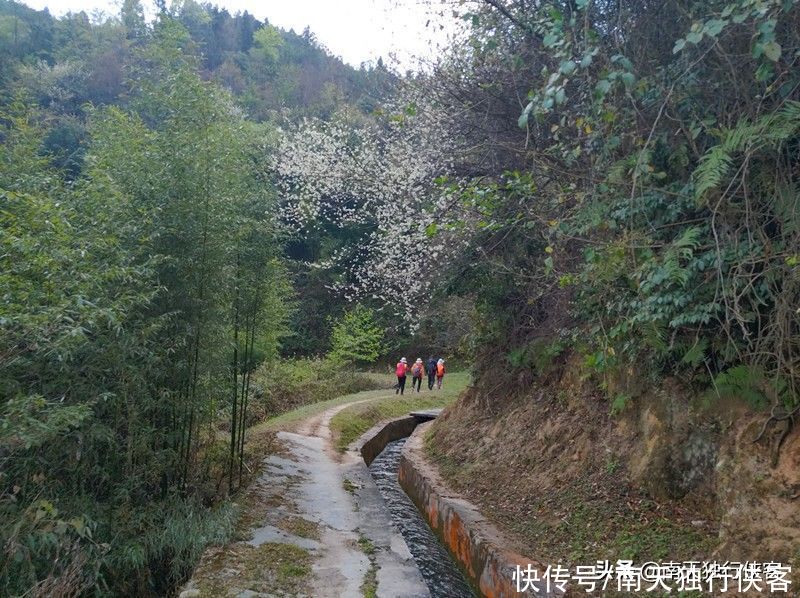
[440, 573]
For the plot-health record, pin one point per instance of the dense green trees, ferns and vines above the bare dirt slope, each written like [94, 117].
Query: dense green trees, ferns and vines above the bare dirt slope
[659, 200]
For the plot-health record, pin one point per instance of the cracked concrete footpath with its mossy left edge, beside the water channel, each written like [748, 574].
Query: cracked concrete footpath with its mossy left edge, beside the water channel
[313, 525]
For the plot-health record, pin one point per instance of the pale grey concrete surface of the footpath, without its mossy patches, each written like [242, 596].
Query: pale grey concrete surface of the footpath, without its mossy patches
[354, 547]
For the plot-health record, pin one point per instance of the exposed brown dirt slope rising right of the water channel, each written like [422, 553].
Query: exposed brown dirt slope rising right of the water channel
[660, 481]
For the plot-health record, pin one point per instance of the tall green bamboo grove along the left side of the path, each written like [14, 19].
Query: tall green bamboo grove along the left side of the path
[134, 300]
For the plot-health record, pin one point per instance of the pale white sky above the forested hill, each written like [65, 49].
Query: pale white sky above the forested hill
[356, 30]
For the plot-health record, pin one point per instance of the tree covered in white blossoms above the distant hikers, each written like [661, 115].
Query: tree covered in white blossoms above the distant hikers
[380, 176]
